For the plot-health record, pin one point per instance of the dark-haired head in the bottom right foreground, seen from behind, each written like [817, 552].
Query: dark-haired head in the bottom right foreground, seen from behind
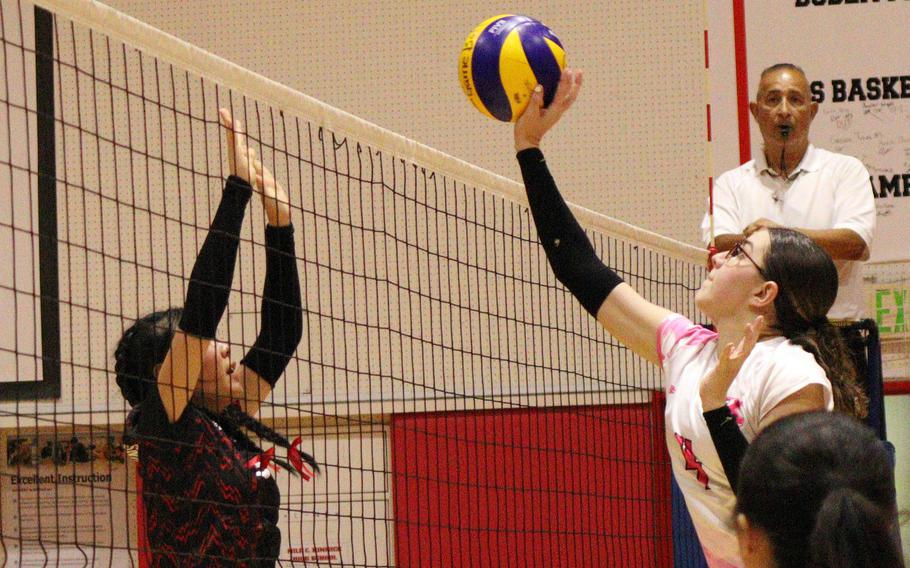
[817, 490]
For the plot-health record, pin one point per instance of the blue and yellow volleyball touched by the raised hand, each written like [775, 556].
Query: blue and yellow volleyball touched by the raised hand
[502, 61]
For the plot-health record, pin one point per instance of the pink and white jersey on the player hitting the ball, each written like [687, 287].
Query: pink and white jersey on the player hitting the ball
[773, 371]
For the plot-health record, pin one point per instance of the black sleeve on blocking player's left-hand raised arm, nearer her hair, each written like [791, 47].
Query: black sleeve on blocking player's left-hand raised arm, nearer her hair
[210, 281]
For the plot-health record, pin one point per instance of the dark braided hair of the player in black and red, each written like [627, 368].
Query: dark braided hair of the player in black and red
[143, 347]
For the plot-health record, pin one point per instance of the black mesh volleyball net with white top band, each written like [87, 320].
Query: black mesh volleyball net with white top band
[463, 406]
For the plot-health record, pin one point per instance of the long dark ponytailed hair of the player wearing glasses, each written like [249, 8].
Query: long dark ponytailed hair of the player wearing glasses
[807, 282]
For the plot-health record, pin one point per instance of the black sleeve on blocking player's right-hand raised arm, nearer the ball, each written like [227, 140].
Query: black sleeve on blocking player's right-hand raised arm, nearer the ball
[281, 325]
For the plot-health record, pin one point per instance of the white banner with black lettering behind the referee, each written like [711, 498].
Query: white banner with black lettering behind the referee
[855, 57]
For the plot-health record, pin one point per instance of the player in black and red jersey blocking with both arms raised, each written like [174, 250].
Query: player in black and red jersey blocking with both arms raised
[208, 495]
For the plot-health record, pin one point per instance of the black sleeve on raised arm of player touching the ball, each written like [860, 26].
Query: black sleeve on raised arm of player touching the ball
[568, 249]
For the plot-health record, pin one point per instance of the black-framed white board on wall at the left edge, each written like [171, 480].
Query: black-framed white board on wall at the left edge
[29, 287]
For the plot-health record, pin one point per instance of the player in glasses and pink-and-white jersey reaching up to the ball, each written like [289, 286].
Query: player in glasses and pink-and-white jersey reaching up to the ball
[774, 352]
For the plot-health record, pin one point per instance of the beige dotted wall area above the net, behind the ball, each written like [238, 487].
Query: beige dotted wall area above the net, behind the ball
[632, 148]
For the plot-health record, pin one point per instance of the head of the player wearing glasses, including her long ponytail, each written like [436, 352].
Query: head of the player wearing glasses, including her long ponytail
[786, 277]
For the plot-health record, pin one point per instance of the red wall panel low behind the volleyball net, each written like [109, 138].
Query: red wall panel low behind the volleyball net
[581, 486]
